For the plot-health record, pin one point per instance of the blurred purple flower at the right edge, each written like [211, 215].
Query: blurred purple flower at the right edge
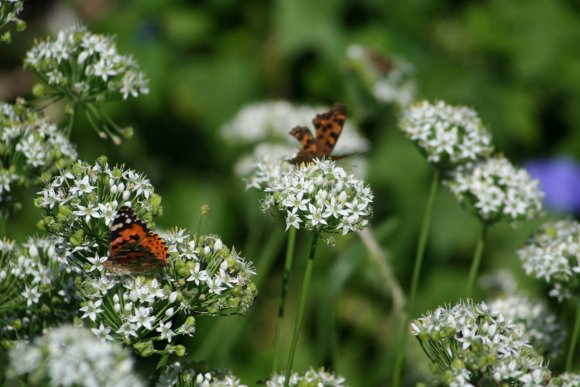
[560, 180]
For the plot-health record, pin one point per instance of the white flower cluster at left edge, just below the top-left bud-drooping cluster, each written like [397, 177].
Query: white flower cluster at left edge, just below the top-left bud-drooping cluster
[31, 150]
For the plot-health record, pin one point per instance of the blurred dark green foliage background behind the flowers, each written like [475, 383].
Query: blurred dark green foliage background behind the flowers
[516, 63]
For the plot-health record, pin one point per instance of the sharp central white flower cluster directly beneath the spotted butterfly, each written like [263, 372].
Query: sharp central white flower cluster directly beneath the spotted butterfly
[321, 197]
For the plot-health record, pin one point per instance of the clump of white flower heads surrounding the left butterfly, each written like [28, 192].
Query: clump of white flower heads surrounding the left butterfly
[203, 275]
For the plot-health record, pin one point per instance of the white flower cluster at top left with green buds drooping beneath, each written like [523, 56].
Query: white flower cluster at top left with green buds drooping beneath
[86, 69]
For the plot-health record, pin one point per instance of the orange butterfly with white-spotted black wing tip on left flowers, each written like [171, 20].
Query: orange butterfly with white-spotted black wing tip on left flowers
[133, 248]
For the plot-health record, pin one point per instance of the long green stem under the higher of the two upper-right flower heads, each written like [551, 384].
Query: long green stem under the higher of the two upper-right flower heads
[422, 243]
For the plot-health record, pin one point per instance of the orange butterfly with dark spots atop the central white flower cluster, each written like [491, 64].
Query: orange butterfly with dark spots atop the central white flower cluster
[328, 128]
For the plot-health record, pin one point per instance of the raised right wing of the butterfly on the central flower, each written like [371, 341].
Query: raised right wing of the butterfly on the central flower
[328, 128]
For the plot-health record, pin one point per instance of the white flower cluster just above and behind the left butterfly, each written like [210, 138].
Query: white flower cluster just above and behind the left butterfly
[82, 201]
